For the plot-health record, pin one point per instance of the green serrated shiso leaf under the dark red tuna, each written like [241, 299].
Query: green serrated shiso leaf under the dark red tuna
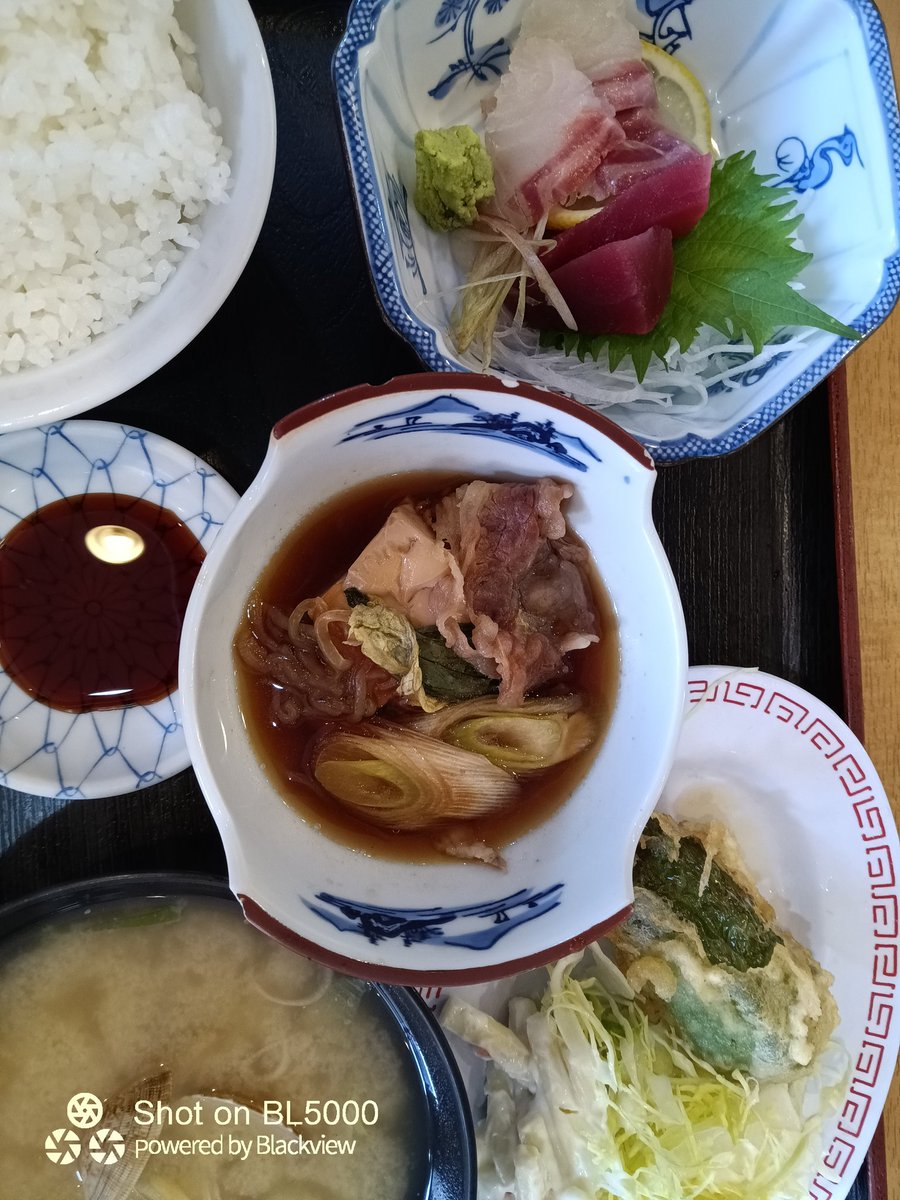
[733, 272]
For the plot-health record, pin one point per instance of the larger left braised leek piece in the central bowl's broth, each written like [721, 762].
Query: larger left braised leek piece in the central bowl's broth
[400, 779]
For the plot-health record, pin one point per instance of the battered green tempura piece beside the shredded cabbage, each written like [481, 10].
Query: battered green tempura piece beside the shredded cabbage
[745, 994]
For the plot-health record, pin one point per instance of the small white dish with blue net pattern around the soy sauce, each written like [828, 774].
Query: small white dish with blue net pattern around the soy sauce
[69, 755]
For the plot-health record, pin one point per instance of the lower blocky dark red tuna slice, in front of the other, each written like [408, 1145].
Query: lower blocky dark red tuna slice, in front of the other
[621, 287]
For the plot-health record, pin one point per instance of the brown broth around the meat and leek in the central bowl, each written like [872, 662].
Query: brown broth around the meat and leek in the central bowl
[315, 555]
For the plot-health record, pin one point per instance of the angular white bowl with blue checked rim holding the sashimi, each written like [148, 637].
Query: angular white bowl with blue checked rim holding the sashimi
[806, 85]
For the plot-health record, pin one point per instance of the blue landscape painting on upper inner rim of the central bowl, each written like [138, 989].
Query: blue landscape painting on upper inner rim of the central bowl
[449, 415]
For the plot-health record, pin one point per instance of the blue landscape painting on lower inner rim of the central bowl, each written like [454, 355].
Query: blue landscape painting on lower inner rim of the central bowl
[416, 927]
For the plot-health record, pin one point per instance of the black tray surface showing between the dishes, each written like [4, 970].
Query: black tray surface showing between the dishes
[751, 537]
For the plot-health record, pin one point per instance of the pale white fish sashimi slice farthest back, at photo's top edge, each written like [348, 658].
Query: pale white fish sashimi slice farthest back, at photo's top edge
[598, 34]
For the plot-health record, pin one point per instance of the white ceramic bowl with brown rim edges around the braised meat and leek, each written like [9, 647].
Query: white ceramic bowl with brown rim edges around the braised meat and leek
[566, 880]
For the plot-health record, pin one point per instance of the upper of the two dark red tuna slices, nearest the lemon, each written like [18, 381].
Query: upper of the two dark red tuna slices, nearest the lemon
[675, 196]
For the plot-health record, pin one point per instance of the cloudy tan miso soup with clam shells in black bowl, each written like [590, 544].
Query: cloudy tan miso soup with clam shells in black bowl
[217, 1055]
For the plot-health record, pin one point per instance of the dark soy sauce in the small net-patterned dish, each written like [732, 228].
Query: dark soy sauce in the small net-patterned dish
[93, 595]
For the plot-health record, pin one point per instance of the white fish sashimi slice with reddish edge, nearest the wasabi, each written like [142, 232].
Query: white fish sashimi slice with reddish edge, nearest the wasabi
[548, 133]
